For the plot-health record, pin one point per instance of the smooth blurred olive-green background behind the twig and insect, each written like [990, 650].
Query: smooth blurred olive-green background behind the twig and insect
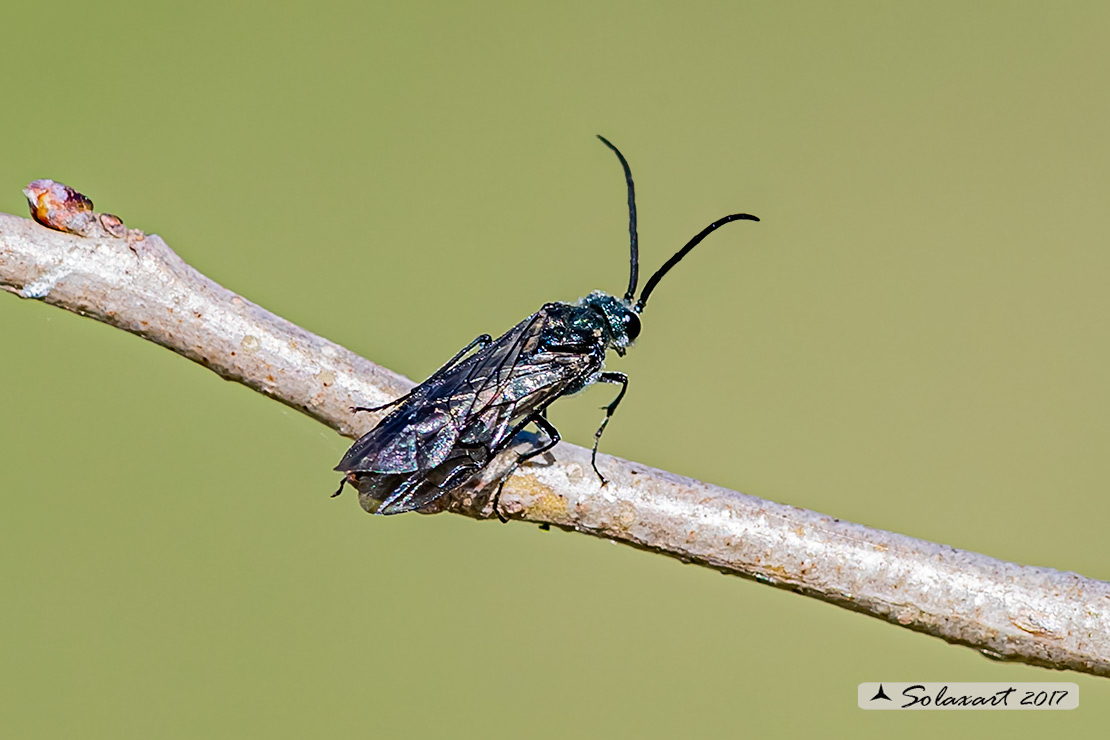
[914, 339]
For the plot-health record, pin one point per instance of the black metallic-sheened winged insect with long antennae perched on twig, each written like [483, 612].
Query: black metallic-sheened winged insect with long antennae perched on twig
[451, 427]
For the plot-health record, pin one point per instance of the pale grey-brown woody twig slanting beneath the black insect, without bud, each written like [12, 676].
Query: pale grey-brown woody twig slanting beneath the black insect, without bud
[1006, 611]
